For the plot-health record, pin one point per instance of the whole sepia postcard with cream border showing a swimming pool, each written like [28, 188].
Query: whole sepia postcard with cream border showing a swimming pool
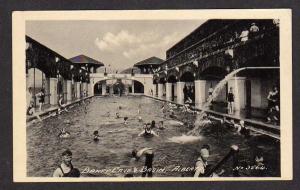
[182, 95]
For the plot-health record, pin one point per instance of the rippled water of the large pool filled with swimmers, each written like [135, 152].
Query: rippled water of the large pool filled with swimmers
[117, 140]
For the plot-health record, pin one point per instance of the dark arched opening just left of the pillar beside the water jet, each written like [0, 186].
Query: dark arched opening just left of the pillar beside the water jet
[189, 87]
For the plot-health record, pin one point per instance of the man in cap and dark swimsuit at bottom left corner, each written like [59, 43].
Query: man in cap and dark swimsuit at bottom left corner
[66, 168]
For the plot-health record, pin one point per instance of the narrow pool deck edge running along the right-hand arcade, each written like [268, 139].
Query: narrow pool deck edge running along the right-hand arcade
[254, 125]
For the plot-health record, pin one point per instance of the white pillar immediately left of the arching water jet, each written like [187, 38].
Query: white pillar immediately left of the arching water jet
[200, 92]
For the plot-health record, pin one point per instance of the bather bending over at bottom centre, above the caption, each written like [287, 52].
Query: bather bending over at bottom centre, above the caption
[149, 155]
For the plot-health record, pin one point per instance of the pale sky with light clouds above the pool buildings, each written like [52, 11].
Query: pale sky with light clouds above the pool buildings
[118, 44]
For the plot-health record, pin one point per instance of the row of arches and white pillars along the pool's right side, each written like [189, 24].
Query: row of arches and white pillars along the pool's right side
[250, 87]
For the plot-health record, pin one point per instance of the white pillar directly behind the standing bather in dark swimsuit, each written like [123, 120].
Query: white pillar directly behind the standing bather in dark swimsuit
[238, 85]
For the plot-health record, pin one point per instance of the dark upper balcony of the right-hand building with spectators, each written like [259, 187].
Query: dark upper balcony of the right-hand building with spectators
[232, 40]
